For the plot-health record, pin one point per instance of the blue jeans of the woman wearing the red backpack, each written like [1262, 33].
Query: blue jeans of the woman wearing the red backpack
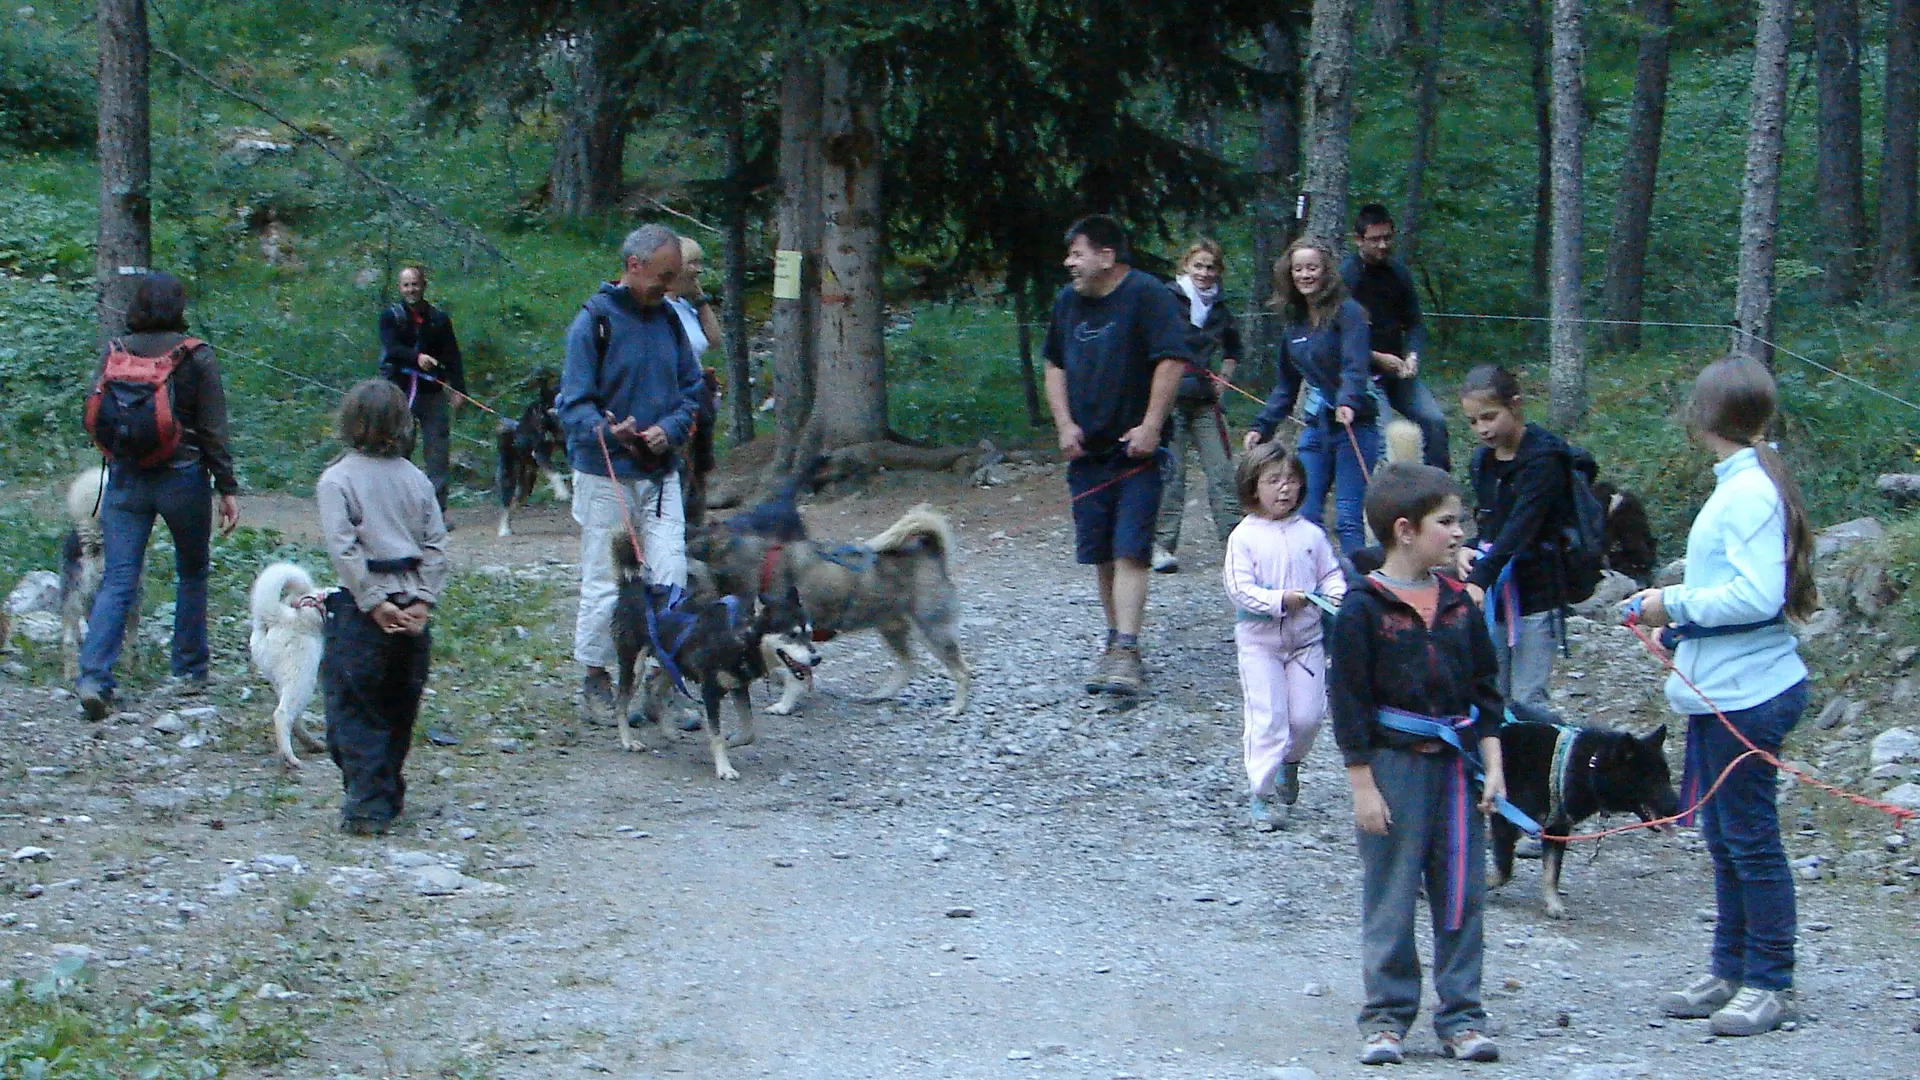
[133, 499]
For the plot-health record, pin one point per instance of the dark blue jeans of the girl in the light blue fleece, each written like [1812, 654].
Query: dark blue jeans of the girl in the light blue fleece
[1752, 881]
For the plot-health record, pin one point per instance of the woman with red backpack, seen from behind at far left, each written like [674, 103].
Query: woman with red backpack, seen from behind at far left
[160, 418]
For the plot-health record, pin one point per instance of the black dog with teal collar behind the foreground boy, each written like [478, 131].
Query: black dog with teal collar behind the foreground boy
[1596, 772]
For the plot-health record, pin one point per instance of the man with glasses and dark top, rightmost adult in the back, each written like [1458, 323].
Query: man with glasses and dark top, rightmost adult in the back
[1385, 289]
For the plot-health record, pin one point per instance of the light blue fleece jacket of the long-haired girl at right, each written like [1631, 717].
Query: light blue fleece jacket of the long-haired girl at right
[1737, 572]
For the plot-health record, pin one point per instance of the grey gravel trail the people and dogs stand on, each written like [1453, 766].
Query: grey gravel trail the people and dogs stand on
[1042, 887]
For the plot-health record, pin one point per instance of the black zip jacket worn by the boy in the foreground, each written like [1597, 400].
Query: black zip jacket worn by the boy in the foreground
[1383, 654]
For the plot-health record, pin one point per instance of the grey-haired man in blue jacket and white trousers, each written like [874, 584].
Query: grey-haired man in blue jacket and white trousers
[629, 395]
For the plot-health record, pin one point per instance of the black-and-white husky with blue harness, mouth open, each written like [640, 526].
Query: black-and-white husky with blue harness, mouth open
[708, 641]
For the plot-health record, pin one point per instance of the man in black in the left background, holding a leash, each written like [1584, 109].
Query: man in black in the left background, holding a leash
[423, 358]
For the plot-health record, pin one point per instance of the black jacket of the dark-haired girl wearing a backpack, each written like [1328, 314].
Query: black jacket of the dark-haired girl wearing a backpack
[1520, 506]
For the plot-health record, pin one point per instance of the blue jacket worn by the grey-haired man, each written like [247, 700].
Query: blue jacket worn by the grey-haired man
[650, 374]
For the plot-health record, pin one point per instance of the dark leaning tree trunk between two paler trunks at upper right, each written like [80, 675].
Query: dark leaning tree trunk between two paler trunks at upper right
[1641, 168]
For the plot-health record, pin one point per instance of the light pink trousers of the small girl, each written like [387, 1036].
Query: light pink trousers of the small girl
[1284, 695]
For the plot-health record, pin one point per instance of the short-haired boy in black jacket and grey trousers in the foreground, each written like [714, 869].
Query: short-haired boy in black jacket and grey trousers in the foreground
[1416, 712]
